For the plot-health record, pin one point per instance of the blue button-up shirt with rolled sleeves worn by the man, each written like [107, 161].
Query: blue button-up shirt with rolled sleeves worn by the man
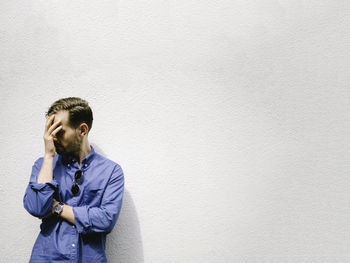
[96, 208]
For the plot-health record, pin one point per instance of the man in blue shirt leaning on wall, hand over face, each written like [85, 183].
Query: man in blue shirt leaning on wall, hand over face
[77, 193]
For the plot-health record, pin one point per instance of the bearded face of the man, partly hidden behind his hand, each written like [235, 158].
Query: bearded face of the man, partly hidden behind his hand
[67, 141]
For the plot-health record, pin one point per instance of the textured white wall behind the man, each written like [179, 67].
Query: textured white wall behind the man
[230, 120]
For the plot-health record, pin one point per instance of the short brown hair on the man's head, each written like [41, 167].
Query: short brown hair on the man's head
[78, 109]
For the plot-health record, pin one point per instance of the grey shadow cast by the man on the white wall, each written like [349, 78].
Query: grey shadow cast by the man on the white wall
[124, 243]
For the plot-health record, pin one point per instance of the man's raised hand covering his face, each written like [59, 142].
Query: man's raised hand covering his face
[51, 129]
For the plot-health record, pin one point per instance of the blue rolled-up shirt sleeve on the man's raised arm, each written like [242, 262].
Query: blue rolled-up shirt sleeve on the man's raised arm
[37, 199]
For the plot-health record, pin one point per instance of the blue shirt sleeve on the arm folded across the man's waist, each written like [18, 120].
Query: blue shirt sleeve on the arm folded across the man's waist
[102, 218]
